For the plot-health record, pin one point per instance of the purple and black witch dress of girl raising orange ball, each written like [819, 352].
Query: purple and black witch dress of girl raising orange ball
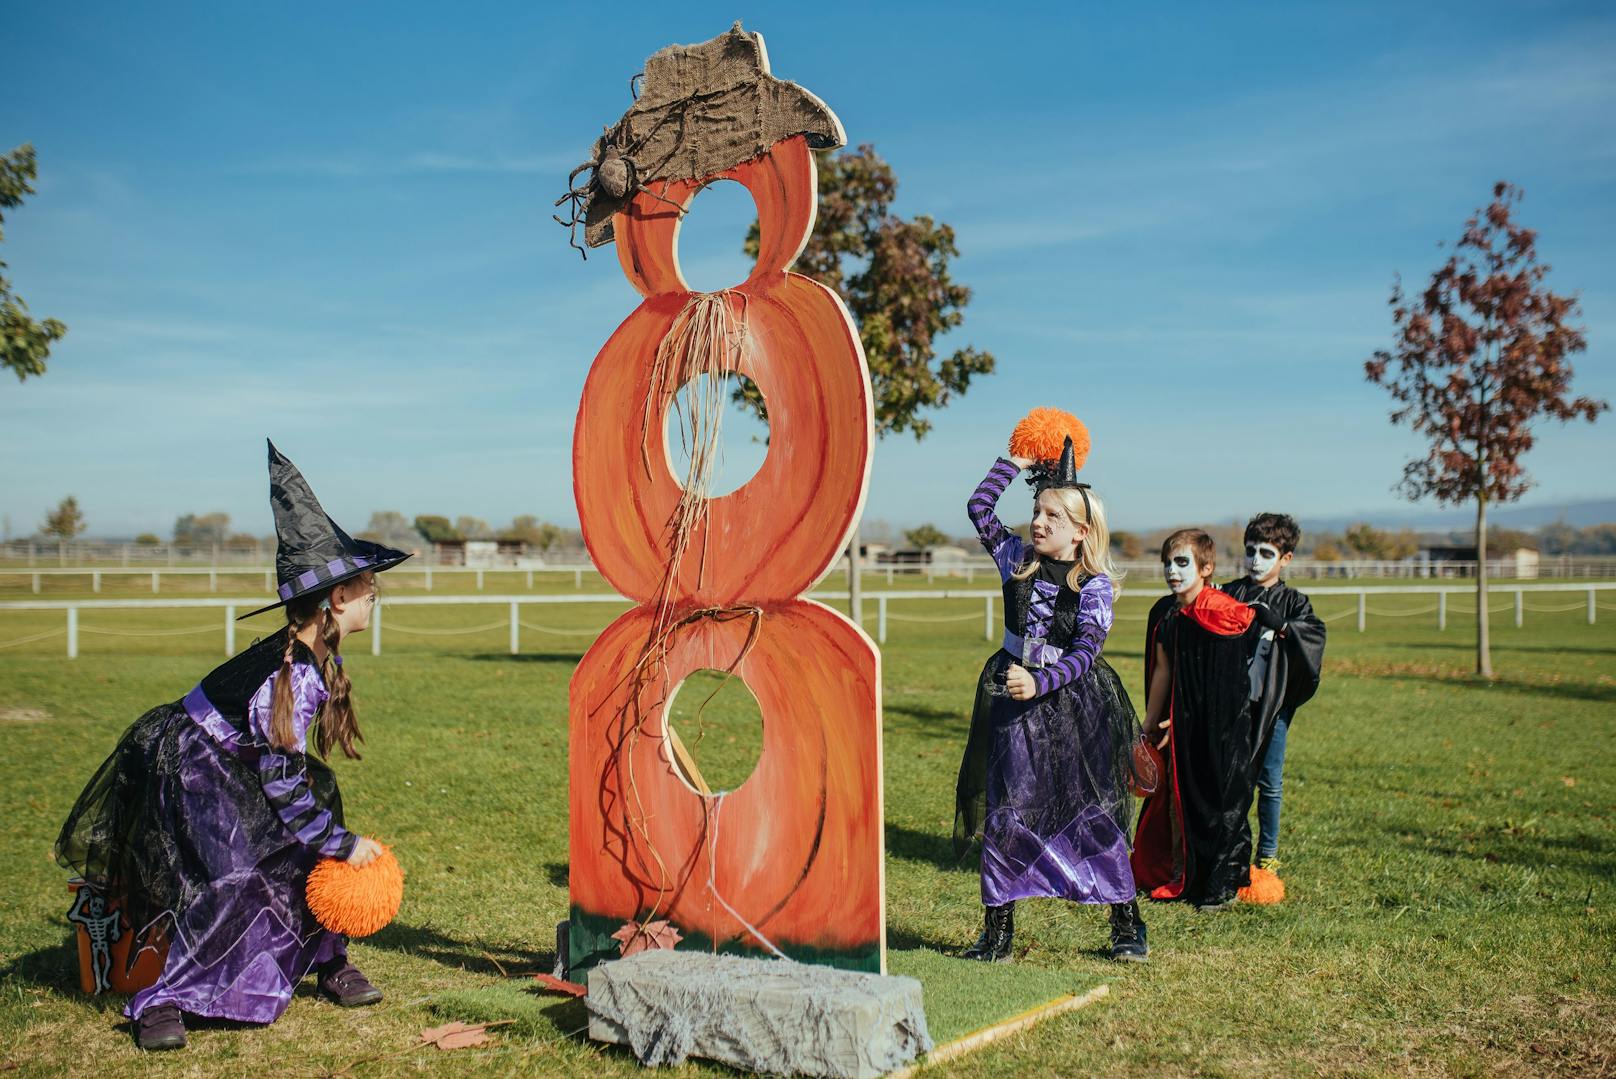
[1045, 783]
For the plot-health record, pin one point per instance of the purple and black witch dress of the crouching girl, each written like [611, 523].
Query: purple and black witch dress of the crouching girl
[209, 834]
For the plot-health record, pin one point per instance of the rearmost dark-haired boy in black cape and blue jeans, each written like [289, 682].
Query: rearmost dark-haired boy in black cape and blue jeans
[1286, 666]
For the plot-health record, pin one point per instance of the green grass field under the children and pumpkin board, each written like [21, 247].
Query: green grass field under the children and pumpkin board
[1450, 852]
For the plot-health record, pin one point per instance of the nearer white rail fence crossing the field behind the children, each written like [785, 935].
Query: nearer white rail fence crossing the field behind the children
[883, 600]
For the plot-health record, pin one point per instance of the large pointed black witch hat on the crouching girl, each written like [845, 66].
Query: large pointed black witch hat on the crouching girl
[313, 553]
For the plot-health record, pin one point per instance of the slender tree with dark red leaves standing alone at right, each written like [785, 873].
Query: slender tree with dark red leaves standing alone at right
[1479, 358]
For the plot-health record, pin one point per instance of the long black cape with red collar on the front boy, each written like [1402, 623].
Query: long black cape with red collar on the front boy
[1193, 841]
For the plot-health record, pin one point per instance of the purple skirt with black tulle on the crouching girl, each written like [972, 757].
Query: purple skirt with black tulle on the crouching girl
[180, 829]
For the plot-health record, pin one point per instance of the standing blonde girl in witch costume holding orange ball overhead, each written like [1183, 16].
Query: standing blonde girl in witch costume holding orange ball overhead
[1045, 784]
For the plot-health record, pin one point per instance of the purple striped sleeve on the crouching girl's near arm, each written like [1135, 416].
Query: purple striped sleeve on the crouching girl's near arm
[285, 773]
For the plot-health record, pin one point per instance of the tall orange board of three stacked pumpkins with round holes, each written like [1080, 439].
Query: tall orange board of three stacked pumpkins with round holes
[793, 862]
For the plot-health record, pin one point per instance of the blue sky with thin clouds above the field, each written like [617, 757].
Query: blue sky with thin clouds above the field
[330, 224]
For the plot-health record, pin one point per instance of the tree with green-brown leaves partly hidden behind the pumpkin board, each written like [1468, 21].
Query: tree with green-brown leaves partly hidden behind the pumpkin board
[893, 274]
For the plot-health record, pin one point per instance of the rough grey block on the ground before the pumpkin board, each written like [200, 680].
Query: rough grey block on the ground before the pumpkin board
[759, 1015]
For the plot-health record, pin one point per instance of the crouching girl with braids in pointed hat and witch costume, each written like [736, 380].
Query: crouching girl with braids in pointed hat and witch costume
[211, 812]
